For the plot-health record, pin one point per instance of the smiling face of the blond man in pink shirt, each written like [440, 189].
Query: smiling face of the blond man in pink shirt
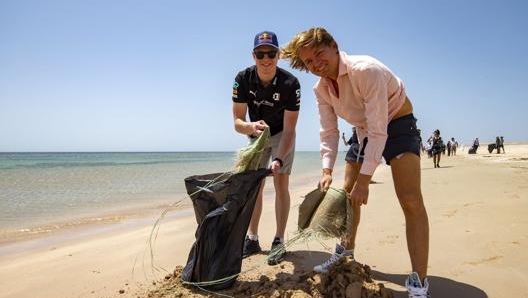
[322, 60]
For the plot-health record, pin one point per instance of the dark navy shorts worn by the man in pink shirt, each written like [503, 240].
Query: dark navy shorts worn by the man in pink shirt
[402, 136]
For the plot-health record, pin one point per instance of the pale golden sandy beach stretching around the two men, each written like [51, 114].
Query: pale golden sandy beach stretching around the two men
[477, 207]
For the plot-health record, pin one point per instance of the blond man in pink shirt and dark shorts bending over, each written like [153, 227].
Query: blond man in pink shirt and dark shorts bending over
[365, 93]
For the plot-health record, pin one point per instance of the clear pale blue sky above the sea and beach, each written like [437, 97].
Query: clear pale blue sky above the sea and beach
[127, 75]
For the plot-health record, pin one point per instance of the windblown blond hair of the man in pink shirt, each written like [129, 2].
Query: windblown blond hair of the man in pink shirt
[312, 37]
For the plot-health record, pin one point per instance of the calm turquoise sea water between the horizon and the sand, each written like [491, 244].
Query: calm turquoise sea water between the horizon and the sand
[45, 191]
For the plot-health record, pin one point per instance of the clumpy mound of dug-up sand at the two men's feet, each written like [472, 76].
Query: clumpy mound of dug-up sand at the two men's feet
[347, 279]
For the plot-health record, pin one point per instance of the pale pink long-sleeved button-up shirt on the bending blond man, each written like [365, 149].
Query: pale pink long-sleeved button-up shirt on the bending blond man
[370, 95]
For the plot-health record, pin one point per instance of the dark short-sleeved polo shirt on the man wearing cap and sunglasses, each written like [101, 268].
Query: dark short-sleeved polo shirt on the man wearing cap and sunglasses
[267, 103]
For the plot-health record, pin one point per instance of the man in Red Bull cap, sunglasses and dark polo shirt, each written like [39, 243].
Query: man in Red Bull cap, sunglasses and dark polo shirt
[271, 97]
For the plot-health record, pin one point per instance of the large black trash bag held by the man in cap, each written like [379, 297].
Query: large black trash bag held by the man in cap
[223, 211]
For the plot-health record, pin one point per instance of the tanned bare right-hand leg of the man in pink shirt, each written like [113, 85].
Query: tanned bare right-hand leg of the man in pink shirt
[407, 180]
